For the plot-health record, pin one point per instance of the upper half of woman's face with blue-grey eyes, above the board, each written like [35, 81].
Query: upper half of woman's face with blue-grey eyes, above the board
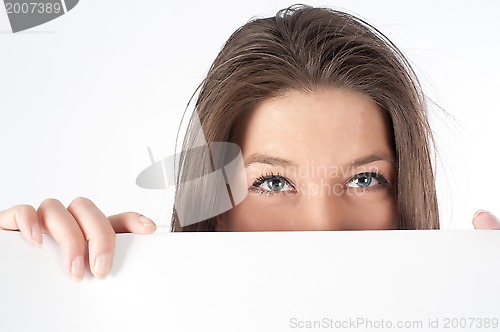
[315, 161]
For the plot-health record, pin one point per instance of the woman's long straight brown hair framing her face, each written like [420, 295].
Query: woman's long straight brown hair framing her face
[304, 48]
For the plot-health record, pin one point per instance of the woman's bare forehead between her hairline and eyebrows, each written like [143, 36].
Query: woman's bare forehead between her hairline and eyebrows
[327, 126]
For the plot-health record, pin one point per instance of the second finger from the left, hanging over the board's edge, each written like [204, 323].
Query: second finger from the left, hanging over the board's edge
[61, 225]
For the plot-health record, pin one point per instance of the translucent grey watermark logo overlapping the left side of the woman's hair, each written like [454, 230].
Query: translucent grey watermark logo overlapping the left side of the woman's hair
[220, 186]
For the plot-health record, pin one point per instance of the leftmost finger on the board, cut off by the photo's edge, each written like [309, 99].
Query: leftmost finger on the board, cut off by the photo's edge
[24, 219]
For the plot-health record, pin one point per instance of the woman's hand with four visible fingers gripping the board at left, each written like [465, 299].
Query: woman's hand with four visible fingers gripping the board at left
[73, 228]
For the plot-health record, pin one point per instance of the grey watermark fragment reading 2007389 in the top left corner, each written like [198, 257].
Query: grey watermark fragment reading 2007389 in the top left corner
[25, 15]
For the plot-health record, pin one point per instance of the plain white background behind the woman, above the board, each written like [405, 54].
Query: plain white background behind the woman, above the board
[82, 97]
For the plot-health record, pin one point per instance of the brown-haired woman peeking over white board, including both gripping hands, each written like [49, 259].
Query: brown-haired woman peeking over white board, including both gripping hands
[333, 132]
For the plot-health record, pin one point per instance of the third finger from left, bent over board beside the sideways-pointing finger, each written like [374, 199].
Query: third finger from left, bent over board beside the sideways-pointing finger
[99, 234]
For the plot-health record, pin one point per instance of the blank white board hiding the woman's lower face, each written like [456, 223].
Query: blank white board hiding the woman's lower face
[260, 282]
